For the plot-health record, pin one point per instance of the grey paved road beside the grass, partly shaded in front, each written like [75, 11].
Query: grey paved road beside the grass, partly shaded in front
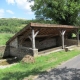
[69, 70]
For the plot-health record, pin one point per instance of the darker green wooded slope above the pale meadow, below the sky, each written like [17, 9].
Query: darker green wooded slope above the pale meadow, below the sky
[12, 25]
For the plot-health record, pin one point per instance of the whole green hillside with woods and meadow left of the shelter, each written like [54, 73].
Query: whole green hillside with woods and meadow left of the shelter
[10, 26]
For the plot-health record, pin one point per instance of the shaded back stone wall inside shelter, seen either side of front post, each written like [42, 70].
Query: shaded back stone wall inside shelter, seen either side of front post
[43, 43]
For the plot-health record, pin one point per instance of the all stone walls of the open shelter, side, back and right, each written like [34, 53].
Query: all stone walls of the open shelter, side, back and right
[21, 51]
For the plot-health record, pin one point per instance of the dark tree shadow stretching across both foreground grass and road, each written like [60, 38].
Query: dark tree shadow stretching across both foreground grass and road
[54, 74]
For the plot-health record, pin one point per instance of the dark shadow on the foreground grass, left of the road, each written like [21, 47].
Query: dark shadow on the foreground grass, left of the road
[21, 75]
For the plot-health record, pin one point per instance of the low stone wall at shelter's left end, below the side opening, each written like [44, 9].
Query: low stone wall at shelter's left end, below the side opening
[20, 52]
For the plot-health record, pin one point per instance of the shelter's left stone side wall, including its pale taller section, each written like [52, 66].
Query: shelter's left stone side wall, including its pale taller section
[18, 50]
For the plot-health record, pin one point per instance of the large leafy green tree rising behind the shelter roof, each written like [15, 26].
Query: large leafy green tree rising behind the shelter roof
[61, 11]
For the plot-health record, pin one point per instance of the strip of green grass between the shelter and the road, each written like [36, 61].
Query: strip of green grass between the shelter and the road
[42, 63]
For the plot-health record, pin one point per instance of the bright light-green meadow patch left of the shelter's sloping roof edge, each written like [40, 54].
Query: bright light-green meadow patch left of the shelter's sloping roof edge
[4, 37]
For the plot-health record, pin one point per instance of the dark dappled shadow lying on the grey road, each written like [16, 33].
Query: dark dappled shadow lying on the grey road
[61, 74]
